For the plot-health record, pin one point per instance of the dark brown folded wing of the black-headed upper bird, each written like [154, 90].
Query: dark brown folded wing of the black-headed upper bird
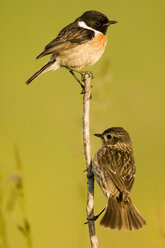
[68, 37]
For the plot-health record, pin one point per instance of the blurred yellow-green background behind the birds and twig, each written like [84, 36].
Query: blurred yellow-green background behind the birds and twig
[44, 119]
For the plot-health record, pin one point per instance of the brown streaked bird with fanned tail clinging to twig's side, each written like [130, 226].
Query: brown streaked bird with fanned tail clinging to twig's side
[114, 170]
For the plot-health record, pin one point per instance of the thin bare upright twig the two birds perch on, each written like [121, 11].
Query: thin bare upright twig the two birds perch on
[87, 153]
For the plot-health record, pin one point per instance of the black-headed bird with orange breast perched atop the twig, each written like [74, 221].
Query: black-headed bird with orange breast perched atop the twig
[78, 45]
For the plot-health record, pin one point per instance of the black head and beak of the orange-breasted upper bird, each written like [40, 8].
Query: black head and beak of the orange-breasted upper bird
[96, 20]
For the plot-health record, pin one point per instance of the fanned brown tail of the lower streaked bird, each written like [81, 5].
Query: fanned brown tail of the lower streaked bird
[122, 215]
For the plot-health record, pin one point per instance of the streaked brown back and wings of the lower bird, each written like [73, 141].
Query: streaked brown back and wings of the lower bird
[119, 165]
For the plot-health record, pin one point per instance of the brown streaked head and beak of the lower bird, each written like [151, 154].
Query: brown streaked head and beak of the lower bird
[115, 135]
